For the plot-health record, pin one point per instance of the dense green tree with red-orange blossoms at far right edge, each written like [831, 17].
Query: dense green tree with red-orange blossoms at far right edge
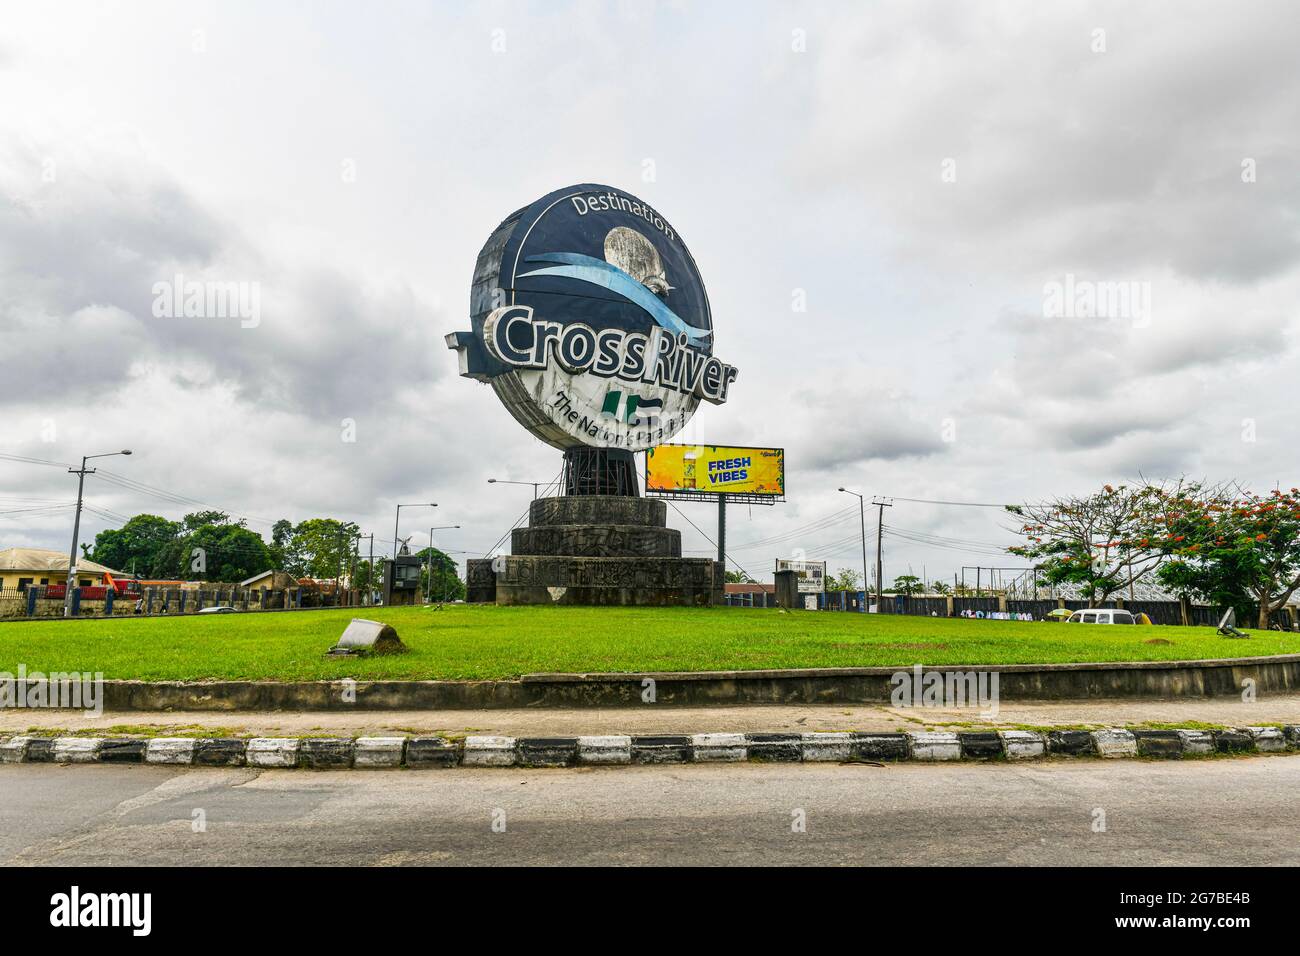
[1233, 548]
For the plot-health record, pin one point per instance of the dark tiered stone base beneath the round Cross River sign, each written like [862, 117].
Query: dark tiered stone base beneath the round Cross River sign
[596, 551]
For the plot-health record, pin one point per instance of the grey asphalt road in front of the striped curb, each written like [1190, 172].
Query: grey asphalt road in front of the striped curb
[1219, 812]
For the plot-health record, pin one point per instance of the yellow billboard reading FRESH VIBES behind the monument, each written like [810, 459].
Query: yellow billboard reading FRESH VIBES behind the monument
[716, 469]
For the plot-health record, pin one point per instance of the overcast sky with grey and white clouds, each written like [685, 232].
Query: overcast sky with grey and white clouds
[920, 175]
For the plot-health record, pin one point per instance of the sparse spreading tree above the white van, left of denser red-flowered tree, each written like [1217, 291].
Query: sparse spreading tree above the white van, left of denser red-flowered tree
[1094, 542]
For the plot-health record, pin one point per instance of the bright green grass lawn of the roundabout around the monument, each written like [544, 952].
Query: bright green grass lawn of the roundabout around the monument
[487, 642]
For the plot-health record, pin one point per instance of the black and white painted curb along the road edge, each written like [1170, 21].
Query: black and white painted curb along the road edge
[333, 754]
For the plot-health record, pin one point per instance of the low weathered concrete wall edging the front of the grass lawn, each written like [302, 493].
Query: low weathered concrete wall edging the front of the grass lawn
[1019, 682]
